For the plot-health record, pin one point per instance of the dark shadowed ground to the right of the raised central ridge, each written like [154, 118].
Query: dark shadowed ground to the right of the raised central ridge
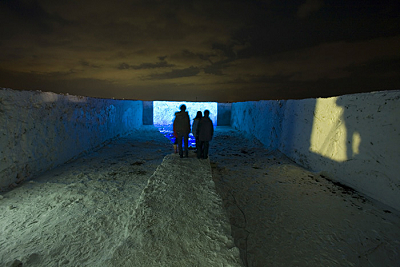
[284, 215]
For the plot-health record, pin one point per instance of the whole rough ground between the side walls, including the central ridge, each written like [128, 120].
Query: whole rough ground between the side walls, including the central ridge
[127, 205]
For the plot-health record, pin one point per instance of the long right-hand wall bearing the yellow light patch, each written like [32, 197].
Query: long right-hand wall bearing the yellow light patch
[352, 139]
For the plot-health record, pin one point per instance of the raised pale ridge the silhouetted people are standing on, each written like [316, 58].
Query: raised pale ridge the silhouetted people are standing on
[179, 220]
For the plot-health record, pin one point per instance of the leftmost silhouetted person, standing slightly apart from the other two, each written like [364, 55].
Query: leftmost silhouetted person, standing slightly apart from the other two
[182, 128]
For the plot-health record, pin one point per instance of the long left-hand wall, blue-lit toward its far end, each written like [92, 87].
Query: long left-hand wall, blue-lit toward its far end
[42, 130]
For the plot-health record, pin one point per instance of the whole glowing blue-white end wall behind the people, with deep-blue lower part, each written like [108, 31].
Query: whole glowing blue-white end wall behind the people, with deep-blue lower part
[164, 115]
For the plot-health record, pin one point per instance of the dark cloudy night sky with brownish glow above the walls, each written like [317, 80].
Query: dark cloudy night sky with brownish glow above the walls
[234, 50]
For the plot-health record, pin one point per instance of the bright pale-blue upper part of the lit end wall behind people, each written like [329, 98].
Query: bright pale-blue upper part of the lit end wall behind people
[164, 111]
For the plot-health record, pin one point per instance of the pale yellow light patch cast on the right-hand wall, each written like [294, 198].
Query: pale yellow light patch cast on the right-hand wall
[328, 136]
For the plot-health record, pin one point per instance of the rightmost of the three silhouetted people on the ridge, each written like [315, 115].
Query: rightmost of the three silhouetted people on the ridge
[205, 131]
